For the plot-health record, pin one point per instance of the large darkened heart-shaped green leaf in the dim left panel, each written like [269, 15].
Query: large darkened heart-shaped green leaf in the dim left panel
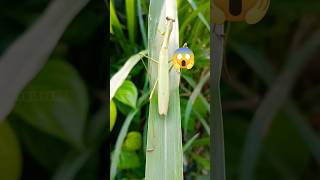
[55, 102]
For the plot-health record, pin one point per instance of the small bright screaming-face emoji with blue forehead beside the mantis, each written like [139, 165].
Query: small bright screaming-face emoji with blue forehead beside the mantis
[183, 58]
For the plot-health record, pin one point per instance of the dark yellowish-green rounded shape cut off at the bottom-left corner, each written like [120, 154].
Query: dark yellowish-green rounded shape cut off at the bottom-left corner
[10, 154]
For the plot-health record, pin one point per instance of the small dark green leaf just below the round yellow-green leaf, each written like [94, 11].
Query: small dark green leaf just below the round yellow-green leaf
[129, 160]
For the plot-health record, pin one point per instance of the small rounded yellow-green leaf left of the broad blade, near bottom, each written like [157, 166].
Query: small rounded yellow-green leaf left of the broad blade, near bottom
[133, 141]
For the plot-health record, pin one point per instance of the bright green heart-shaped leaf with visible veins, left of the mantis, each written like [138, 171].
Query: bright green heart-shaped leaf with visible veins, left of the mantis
[127, 94]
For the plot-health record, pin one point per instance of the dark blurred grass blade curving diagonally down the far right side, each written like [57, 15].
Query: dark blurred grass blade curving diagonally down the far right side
[271, 104]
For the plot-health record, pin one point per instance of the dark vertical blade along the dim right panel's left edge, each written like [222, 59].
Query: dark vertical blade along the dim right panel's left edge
[217, 142]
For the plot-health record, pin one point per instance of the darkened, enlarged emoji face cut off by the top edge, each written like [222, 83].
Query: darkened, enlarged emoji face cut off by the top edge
[251, 11]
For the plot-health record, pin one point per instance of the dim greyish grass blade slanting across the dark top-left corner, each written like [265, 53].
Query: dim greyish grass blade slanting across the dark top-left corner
[25, 58]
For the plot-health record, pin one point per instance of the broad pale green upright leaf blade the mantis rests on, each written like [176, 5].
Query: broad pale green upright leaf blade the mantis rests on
[165, 161]
